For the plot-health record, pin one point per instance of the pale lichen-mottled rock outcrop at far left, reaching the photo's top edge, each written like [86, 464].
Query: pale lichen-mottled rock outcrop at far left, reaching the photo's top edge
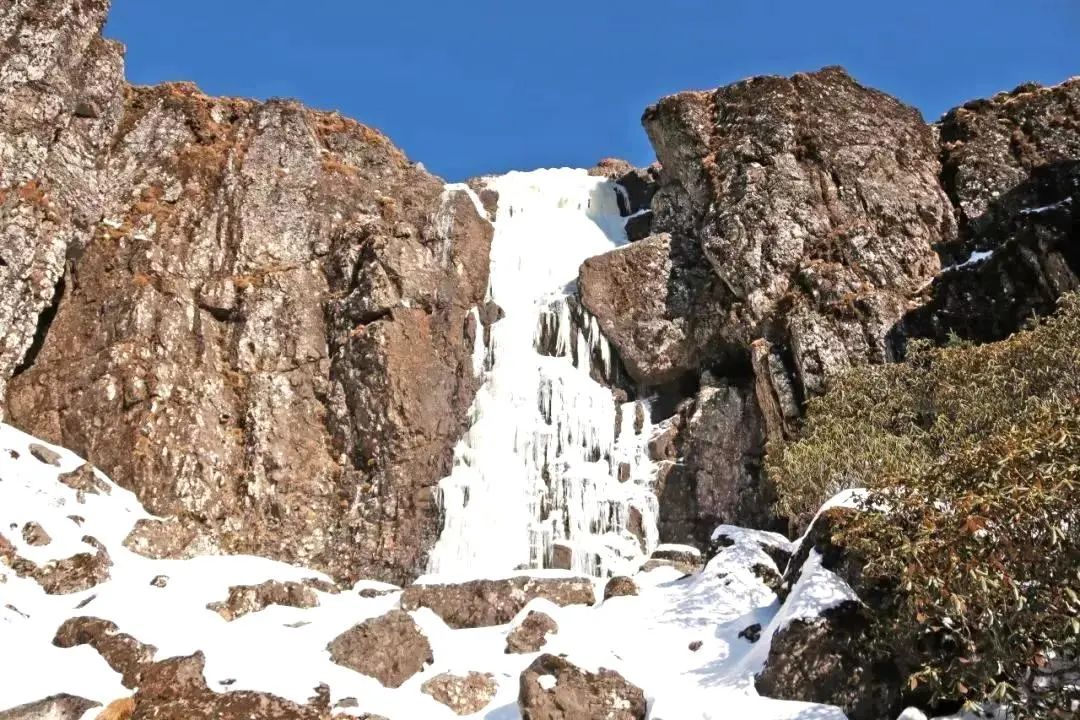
[61, 104]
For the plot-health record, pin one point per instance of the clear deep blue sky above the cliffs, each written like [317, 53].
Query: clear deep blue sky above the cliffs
[480, 87]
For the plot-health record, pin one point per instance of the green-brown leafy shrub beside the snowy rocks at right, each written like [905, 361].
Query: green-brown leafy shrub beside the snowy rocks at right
[976, 452]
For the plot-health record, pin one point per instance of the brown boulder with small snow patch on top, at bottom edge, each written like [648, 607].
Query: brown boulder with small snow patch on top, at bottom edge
[555, 689]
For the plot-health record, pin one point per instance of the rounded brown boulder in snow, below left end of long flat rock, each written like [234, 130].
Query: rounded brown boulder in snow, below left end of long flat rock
[390, 649]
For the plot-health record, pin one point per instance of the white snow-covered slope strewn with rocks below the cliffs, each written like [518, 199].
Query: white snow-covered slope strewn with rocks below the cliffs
[282, 649]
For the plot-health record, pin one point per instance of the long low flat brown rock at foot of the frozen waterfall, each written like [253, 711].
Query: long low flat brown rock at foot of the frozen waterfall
[487, 603]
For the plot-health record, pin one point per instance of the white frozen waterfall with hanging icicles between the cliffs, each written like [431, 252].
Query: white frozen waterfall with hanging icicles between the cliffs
[553, 470]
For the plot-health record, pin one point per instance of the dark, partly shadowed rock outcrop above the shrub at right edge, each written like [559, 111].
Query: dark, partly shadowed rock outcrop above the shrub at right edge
[1011, 166]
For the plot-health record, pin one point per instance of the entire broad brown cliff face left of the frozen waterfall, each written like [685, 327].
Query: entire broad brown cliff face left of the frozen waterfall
[264, 330]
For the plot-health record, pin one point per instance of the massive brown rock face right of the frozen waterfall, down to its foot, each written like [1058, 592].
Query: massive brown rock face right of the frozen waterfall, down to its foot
[793, 227]
